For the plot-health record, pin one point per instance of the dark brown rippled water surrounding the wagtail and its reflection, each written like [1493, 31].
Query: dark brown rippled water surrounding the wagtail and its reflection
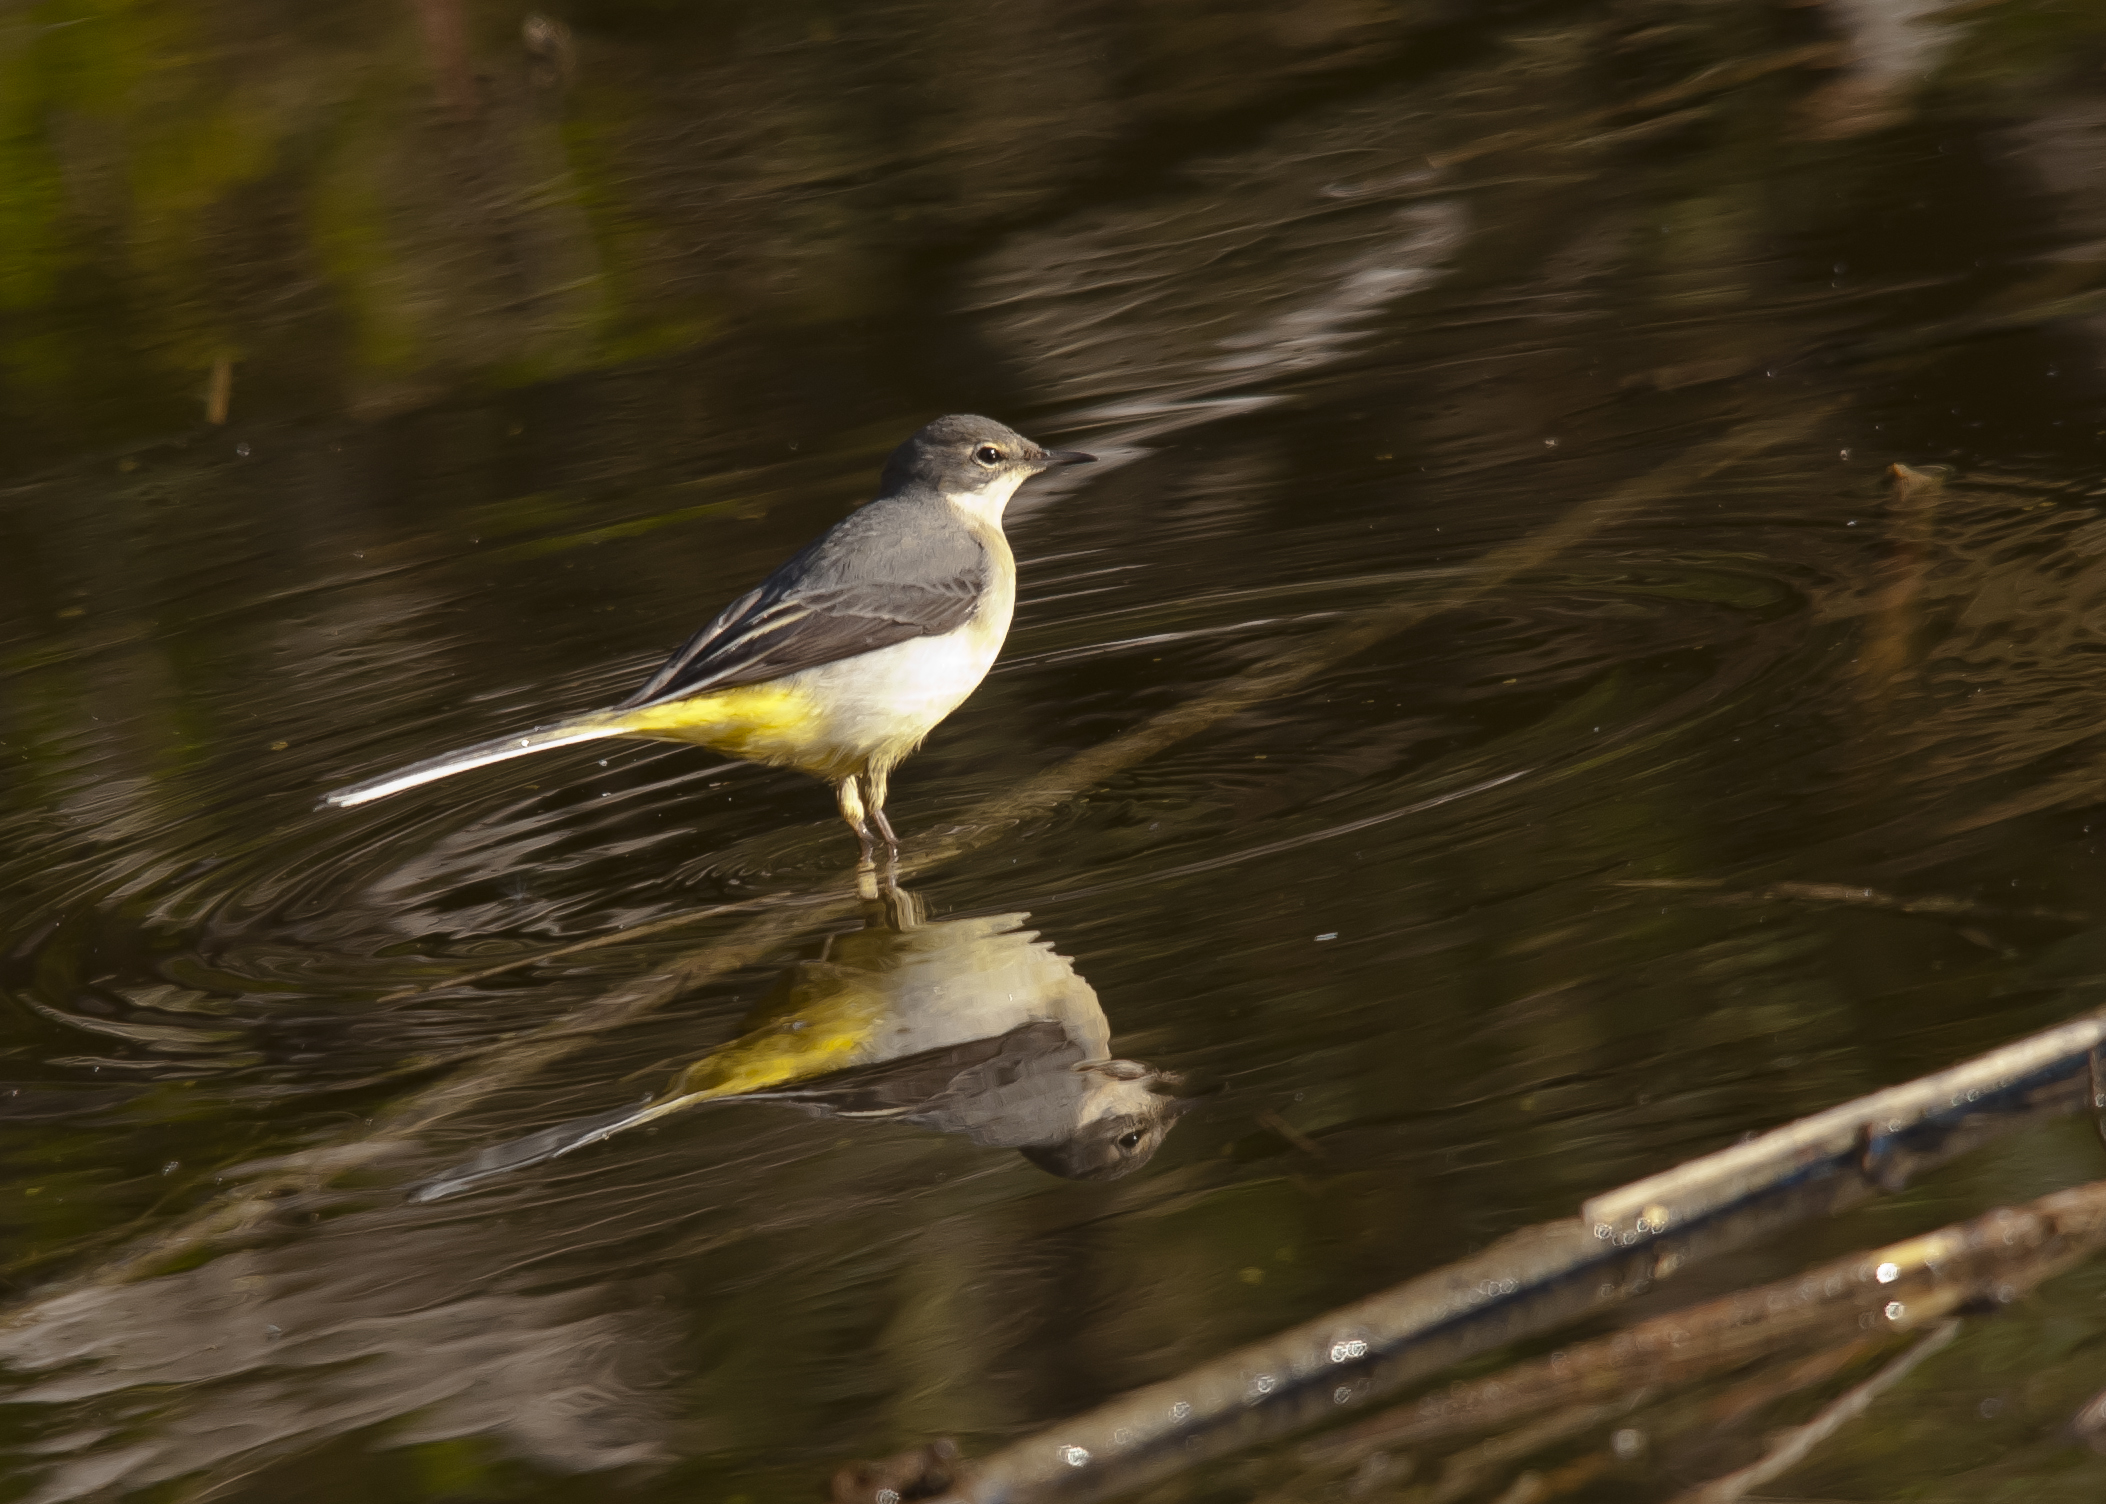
[544, 349]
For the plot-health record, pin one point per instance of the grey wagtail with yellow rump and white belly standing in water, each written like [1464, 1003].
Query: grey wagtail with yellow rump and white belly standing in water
[848, 656]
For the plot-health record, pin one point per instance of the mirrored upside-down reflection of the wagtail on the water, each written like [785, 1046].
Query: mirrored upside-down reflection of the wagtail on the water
[970, 1027]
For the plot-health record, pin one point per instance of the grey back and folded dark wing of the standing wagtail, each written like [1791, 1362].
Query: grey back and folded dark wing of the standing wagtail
[846, 595]
